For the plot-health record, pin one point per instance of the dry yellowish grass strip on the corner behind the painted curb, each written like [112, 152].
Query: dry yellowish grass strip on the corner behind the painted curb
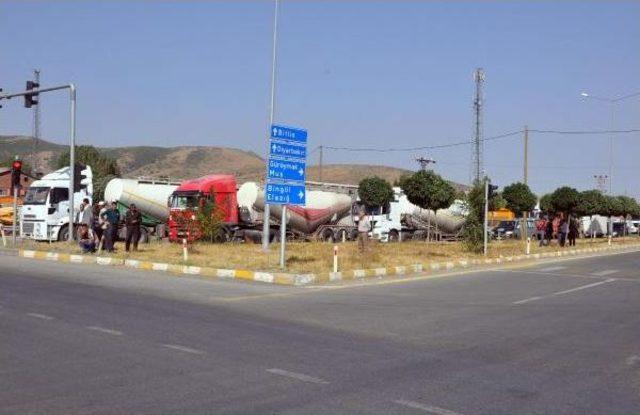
[314, 257]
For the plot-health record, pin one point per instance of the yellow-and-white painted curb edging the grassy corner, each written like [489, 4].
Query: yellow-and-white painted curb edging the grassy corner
[307, 279]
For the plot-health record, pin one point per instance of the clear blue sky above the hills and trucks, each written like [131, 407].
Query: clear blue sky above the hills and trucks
[376, 74]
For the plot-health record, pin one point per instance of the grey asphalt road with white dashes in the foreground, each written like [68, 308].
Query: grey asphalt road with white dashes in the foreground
[552, 338]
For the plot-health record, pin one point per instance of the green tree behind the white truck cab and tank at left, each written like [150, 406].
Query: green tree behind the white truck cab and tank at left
[104, 168]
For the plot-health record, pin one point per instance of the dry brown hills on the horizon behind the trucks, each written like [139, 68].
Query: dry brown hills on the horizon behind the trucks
[188, 161]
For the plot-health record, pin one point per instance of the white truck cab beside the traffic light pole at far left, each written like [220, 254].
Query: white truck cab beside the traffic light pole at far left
[45, 211]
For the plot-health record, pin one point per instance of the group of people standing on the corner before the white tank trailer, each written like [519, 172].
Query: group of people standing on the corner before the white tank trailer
[98, 226]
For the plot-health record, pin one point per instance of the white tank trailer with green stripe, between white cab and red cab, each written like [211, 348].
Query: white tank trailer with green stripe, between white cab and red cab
[150, 196]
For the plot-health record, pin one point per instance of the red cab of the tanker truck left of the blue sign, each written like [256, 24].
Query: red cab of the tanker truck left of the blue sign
[192, 195]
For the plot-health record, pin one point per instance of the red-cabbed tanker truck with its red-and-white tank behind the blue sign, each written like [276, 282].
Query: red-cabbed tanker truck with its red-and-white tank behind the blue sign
[327, 214]
